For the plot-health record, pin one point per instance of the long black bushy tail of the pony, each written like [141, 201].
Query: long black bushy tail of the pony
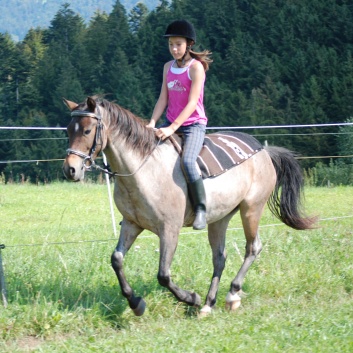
[285, 201]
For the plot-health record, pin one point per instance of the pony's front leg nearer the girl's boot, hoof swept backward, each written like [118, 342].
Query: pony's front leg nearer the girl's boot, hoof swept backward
[168, 244]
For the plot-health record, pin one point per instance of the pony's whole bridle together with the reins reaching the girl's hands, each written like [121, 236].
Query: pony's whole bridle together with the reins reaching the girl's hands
[98, 141]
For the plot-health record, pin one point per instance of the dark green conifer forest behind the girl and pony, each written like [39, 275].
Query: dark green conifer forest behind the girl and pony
[275, 62]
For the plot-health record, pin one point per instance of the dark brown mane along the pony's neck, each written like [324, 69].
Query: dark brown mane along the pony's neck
[132, 129]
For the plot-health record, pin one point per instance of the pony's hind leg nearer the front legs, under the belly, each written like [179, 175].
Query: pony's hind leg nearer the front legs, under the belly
[216, 238]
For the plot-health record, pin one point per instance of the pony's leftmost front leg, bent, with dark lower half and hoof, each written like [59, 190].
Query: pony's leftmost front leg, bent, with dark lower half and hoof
[128, 234]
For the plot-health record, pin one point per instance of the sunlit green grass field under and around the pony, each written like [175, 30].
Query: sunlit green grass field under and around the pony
[63, 295]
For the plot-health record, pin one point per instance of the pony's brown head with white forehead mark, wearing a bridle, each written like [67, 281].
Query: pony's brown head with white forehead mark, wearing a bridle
[87, 137]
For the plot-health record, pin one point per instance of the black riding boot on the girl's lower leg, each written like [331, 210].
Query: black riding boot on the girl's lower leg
[198, 200]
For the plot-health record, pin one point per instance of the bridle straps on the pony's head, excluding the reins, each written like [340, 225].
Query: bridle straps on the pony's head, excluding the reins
[97, 138]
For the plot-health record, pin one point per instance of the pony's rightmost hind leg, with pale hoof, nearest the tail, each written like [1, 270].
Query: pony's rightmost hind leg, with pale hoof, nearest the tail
[250, 216]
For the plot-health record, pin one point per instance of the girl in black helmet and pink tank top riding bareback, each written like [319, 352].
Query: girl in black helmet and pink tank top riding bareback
[182, 94]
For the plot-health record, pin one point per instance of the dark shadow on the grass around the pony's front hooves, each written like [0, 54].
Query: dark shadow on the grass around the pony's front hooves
[103, 298]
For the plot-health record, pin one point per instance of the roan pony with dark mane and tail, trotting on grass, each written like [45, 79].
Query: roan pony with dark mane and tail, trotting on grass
[150, 192]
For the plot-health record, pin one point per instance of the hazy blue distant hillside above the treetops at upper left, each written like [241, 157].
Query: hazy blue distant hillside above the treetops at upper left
[18, 16]
